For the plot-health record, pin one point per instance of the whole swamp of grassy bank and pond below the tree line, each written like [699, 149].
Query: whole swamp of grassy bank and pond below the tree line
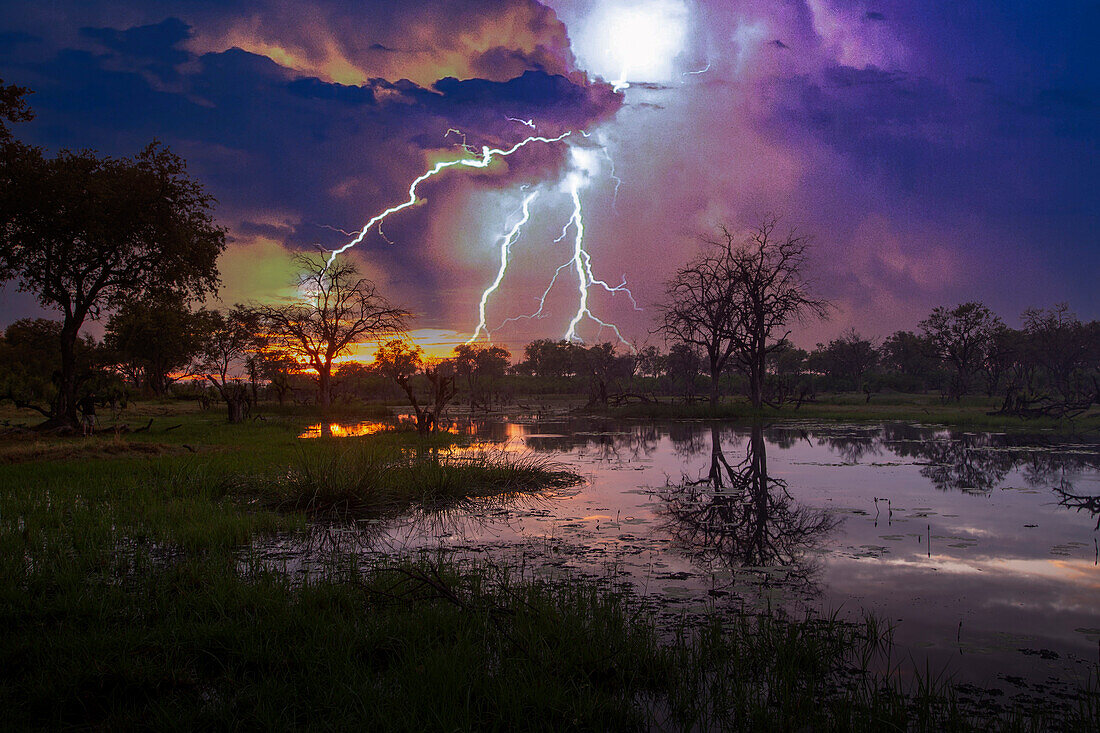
[551, 571]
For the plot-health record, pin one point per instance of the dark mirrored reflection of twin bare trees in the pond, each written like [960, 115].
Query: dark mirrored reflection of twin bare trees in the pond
[741, 517]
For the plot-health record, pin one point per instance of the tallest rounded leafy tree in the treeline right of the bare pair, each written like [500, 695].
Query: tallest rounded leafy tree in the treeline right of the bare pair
[961, 338]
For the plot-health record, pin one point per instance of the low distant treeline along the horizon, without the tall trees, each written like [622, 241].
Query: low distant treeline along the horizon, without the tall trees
[1049, 367]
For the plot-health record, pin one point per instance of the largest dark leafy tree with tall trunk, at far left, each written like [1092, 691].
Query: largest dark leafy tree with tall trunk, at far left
[85, 234]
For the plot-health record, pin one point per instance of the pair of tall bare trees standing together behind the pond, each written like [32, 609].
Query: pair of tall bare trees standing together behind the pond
[736, 302]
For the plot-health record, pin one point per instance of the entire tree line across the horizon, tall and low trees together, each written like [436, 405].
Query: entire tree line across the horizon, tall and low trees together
[134, 242]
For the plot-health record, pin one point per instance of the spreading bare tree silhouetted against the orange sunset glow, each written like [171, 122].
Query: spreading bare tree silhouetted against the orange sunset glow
[336, 309]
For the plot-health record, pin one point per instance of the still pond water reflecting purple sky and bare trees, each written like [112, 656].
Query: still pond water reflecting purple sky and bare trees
[982, 548]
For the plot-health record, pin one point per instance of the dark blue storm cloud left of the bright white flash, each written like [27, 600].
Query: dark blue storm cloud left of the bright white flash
[279, 149]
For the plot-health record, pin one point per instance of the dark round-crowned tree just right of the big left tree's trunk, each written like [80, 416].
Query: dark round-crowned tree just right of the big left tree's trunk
[158, 337]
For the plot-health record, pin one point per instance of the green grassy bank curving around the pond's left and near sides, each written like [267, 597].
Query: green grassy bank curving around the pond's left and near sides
[129, 598]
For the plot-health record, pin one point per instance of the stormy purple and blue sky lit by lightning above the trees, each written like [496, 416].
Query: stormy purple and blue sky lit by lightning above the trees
[939, 151]
